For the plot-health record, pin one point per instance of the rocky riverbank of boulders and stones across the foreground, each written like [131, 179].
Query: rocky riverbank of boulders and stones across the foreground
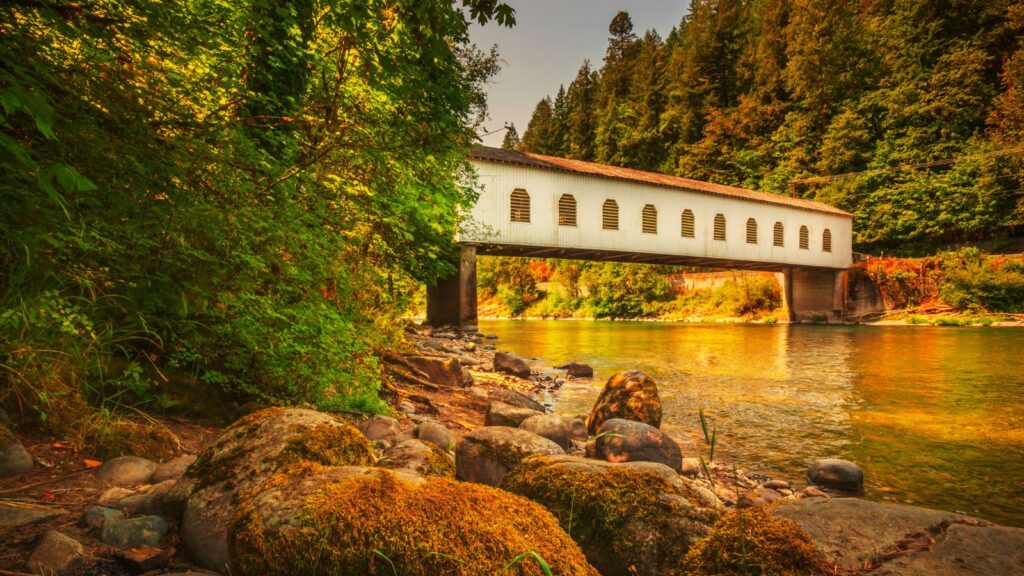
[472, 475]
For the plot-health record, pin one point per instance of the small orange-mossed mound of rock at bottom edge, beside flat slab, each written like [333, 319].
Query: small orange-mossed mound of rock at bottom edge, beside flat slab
[756, 543]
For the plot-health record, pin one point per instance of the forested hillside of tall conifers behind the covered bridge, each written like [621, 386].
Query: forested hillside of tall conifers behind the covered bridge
[769, 94]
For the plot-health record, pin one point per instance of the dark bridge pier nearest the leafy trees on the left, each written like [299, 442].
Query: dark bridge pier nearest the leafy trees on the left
[453, 301]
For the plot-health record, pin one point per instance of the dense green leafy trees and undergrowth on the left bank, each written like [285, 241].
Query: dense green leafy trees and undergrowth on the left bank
[225, 199]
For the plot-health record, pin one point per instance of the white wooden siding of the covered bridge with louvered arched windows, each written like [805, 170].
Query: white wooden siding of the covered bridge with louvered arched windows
[494, 226]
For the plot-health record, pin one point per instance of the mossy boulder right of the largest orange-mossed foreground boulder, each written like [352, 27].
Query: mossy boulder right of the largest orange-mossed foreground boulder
[635, 518]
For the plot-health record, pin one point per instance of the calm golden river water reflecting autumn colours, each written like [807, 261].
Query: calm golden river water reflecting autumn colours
[935, 416]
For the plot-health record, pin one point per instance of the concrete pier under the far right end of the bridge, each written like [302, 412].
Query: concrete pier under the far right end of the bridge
[810, 296]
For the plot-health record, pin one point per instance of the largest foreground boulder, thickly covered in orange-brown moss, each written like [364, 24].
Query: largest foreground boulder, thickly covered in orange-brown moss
[358, 521]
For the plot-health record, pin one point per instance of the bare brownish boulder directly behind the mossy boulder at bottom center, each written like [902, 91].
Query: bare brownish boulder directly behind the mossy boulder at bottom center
[487, 455]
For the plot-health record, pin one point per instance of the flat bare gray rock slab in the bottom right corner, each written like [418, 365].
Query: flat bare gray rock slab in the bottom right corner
[851, 532]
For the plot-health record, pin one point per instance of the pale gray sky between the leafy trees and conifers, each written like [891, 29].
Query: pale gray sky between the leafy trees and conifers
[548, 45]
